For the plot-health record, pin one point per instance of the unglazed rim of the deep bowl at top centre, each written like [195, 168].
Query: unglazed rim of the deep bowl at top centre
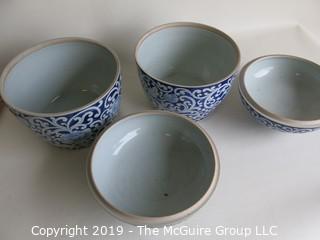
[191, 25]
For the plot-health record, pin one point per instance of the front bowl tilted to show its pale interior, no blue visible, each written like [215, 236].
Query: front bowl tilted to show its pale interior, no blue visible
[153, 168]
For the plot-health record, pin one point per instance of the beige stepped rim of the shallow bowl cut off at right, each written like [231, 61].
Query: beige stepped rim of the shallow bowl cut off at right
[263, 111]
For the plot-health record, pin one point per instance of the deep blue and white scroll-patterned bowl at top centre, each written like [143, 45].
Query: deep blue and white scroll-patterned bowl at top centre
[187, 68]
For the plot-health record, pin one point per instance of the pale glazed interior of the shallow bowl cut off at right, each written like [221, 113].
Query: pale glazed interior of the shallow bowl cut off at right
[285, 86]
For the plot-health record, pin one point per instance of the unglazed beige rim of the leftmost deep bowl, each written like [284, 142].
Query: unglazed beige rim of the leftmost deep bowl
[45, 44]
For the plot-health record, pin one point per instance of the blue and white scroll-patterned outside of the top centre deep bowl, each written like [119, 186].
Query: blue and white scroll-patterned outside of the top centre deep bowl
[195, 103]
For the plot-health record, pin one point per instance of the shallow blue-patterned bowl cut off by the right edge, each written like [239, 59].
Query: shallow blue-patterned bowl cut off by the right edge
[282, 92]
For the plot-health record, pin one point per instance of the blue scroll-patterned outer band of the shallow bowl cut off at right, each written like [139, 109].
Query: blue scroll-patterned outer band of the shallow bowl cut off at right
[272, 124]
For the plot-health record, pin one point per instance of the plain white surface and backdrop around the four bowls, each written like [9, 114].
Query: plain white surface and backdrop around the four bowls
[267, 177]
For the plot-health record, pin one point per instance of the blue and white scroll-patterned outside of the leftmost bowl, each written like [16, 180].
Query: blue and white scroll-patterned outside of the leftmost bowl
[78, 129]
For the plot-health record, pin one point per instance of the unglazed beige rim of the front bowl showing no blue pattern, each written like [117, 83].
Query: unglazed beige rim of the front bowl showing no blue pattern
[138, 219]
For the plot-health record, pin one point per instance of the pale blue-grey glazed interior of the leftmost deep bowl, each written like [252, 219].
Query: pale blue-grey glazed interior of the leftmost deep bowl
[60, 76]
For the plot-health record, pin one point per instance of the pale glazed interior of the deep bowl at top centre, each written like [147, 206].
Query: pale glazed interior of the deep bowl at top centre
[190, 55]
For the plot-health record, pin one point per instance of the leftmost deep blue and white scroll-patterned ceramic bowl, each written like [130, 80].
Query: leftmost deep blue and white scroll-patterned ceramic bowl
[66, 90]
